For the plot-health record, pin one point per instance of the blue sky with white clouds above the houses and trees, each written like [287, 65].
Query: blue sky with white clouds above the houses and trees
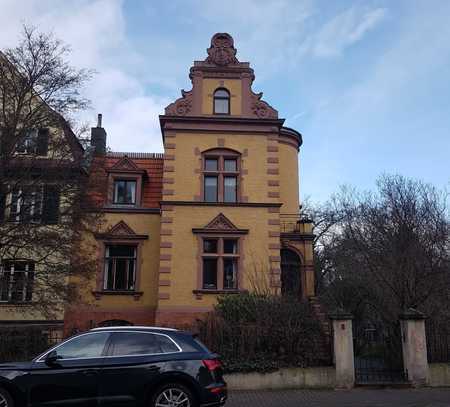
[367, 83]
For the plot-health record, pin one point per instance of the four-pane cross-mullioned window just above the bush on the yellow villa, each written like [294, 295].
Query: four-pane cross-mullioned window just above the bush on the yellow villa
[220, 257]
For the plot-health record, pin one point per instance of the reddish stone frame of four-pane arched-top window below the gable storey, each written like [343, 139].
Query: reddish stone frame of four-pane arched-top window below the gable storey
[221, 154]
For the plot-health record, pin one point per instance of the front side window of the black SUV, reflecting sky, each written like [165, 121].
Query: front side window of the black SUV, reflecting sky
[85, 346]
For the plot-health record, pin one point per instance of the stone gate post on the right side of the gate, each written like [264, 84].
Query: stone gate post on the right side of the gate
[414, 345]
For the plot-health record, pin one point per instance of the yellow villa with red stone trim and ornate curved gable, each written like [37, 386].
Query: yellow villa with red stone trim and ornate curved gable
[218, 213]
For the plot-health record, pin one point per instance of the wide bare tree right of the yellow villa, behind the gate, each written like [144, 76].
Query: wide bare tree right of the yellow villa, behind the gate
[388, 251]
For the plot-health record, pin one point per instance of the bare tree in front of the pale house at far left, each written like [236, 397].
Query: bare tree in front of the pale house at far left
[43, 176]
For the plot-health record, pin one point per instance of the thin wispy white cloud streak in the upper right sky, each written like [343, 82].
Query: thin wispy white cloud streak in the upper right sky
[344, 30]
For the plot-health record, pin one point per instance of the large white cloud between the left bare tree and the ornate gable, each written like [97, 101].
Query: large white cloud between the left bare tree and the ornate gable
[96, 33]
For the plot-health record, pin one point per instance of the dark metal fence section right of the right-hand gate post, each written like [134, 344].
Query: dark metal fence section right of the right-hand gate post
[438, 342]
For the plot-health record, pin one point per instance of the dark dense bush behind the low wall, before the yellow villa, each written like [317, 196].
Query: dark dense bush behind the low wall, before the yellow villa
[262, 333]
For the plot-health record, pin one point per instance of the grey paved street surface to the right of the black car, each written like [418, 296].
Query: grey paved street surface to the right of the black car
[354, 398]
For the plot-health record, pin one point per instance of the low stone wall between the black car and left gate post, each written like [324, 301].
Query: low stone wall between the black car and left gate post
[288, 378]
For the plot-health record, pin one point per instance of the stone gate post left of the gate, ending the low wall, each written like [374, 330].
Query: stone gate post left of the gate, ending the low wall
[343, 350]
